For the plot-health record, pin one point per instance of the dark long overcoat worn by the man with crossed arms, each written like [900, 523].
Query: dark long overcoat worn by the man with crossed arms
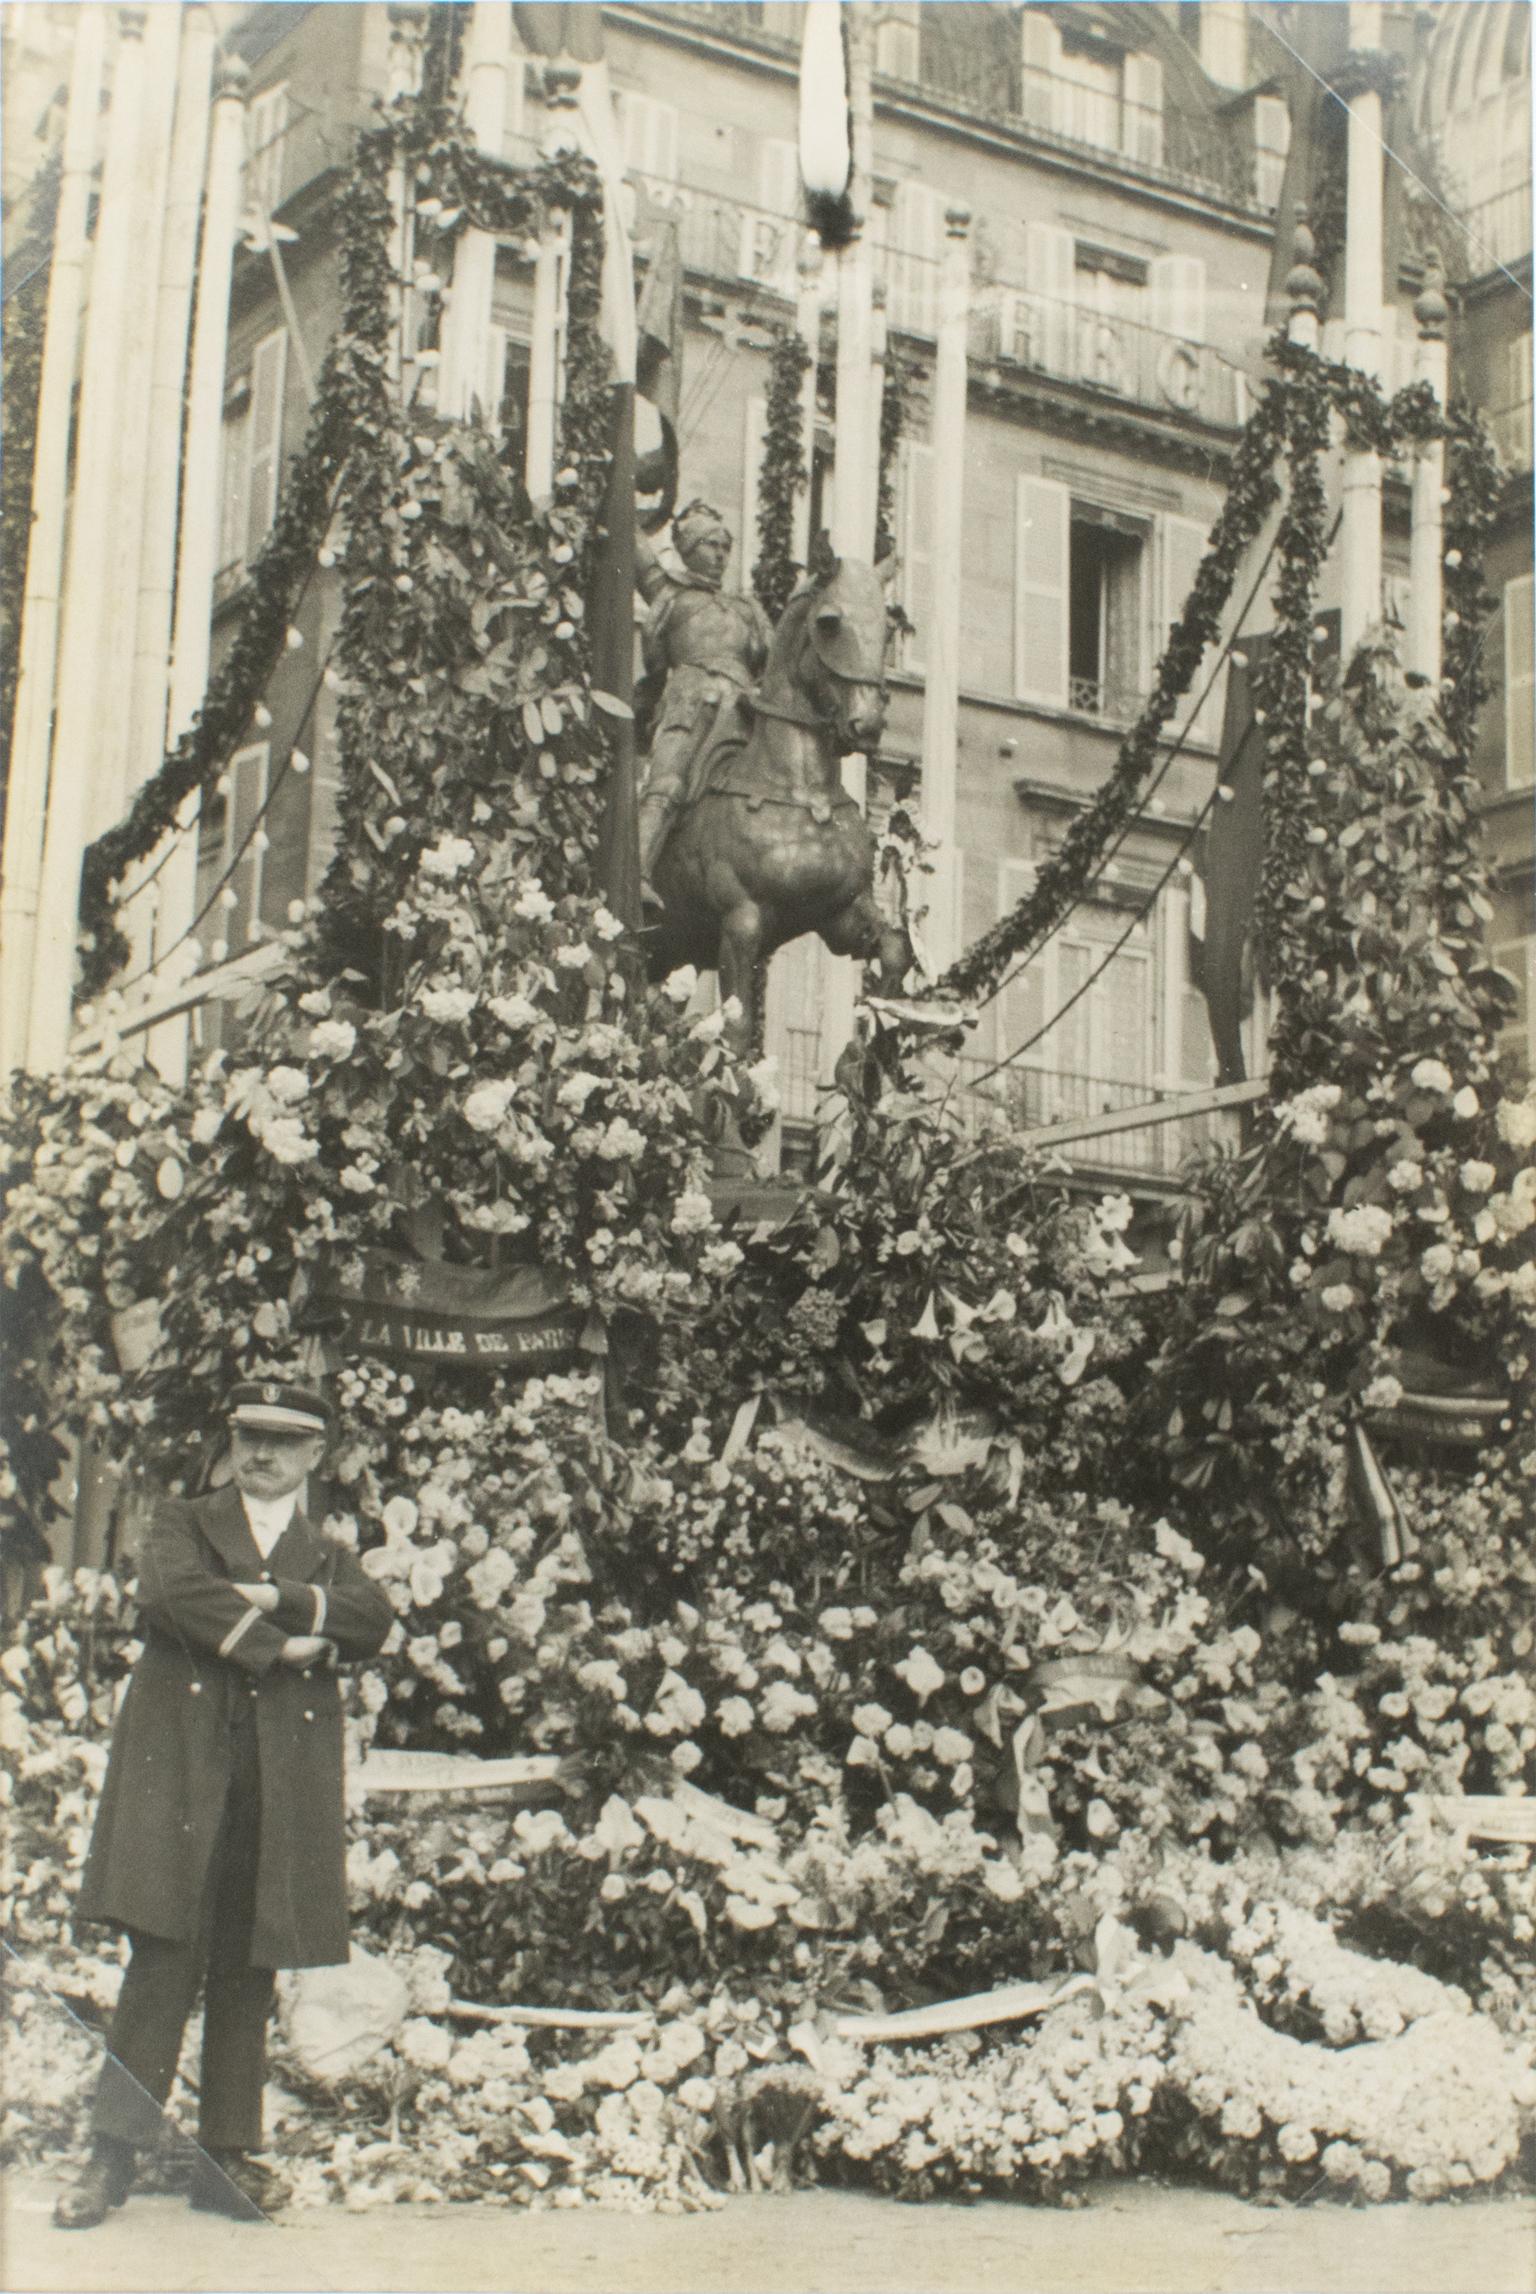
[207, 1655]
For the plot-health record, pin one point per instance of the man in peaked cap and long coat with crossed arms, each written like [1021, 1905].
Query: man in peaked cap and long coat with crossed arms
[219, 1841]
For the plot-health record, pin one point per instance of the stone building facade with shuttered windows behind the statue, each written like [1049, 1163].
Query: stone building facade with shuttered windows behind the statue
[1124, 166]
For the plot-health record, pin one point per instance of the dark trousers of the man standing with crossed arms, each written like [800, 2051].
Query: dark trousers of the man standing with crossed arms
[162, 1985]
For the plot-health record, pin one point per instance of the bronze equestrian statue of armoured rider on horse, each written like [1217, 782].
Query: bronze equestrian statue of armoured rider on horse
[746, 832]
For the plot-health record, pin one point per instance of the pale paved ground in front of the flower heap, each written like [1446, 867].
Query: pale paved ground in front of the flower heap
[1131, 2240]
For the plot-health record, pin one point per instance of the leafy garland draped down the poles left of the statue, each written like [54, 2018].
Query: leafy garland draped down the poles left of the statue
[343, 451]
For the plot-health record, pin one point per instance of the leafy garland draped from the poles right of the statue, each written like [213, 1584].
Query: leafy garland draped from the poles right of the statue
[1292, 419]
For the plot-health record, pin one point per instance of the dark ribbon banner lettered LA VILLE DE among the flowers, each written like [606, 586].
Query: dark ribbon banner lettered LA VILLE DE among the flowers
[478, 1316]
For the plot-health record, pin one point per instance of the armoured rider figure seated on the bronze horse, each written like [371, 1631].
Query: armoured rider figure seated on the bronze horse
[703, 646]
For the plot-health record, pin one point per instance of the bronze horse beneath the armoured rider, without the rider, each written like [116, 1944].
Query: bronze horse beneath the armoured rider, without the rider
[769, 843]
